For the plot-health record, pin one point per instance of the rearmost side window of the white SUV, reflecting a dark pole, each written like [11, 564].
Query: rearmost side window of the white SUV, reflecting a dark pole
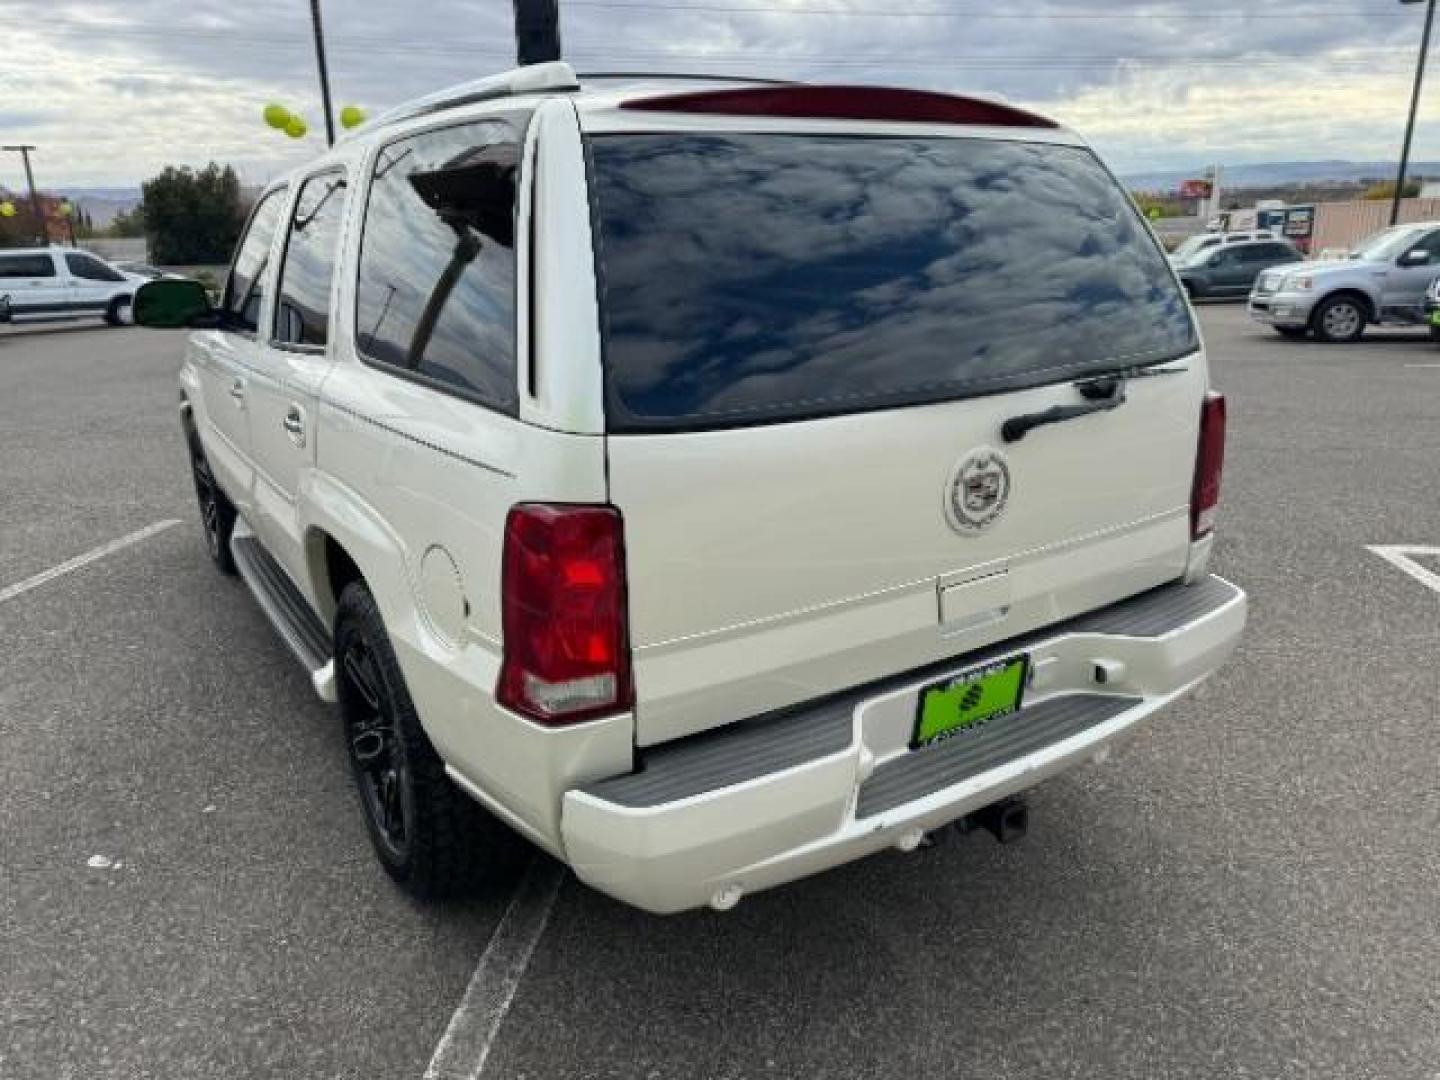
[437, 280]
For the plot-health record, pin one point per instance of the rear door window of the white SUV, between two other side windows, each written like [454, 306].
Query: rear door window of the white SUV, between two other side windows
[309, 264]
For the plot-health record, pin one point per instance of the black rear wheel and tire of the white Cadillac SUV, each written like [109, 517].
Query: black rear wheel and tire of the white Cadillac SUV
[431, 837]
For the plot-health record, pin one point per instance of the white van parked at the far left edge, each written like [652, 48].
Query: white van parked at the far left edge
[64, 283]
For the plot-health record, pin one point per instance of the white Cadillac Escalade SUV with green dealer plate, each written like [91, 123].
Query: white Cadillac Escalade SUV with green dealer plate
[709, 482]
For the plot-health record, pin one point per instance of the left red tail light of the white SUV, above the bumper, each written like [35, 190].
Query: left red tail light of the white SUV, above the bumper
[564, 614]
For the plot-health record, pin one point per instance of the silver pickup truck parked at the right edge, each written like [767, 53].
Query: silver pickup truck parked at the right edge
[1383, 282]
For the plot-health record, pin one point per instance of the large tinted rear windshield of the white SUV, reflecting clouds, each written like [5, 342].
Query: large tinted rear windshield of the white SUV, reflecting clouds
[754, 279]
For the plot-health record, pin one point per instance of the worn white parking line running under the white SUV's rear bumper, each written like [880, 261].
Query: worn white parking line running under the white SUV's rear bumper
[466, 1045]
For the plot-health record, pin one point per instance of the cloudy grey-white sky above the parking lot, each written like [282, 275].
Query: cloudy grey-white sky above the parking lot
[113, 90]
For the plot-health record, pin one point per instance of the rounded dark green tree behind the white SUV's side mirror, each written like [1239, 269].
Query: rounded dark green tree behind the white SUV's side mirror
[192, 217]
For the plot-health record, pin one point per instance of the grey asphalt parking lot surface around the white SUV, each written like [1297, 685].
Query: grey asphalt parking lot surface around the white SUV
[1252, 889]
